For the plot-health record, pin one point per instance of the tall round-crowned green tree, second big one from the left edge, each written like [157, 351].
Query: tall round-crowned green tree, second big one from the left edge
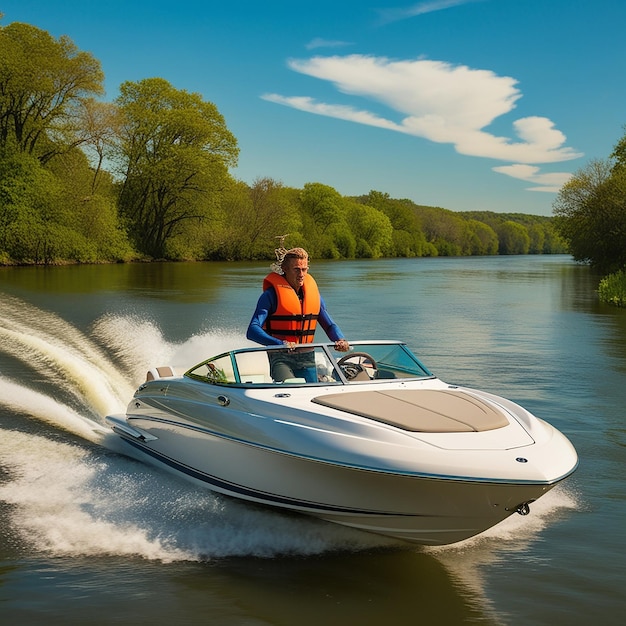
[174, 150]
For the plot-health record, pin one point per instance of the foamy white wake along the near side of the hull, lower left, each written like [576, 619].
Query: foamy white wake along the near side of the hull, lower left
[69, 500]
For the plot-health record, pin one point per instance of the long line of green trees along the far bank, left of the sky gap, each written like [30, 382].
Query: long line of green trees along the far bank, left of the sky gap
[147, 177]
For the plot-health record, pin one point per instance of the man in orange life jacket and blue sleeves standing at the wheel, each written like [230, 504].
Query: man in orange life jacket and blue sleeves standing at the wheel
[287, 314]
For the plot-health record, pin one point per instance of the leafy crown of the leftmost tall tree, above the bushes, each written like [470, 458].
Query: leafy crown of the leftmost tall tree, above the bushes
[44, 83]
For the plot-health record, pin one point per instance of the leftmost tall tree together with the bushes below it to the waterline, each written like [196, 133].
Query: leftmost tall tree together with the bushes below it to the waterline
[50, 211]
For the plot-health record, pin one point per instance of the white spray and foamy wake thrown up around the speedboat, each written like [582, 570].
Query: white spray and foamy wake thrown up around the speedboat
[71, 492]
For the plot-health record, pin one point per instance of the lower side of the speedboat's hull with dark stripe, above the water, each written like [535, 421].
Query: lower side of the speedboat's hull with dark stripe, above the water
[424, 509]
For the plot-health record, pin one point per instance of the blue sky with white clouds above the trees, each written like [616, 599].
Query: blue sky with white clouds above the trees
[464, 104]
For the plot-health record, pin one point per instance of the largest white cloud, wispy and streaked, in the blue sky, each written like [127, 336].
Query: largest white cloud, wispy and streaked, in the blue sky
[435, 100]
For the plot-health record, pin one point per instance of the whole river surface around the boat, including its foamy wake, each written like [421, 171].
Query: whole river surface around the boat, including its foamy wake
[88, 535]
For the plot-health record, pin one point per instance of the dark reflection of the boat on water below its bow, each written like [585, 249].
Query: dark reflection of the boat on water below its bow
[405, 587]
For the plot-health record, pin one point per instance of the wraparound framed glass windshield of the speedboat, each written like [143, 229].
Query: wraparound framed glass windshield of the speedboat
[318, 364]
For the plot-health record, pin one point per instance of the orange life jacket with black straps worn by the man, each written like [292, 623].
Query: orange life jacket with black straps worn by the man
[293, 320]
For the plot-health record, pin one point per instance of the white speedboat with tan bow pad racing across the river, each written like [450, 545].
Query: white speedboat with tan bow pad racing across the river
[369, 439]
